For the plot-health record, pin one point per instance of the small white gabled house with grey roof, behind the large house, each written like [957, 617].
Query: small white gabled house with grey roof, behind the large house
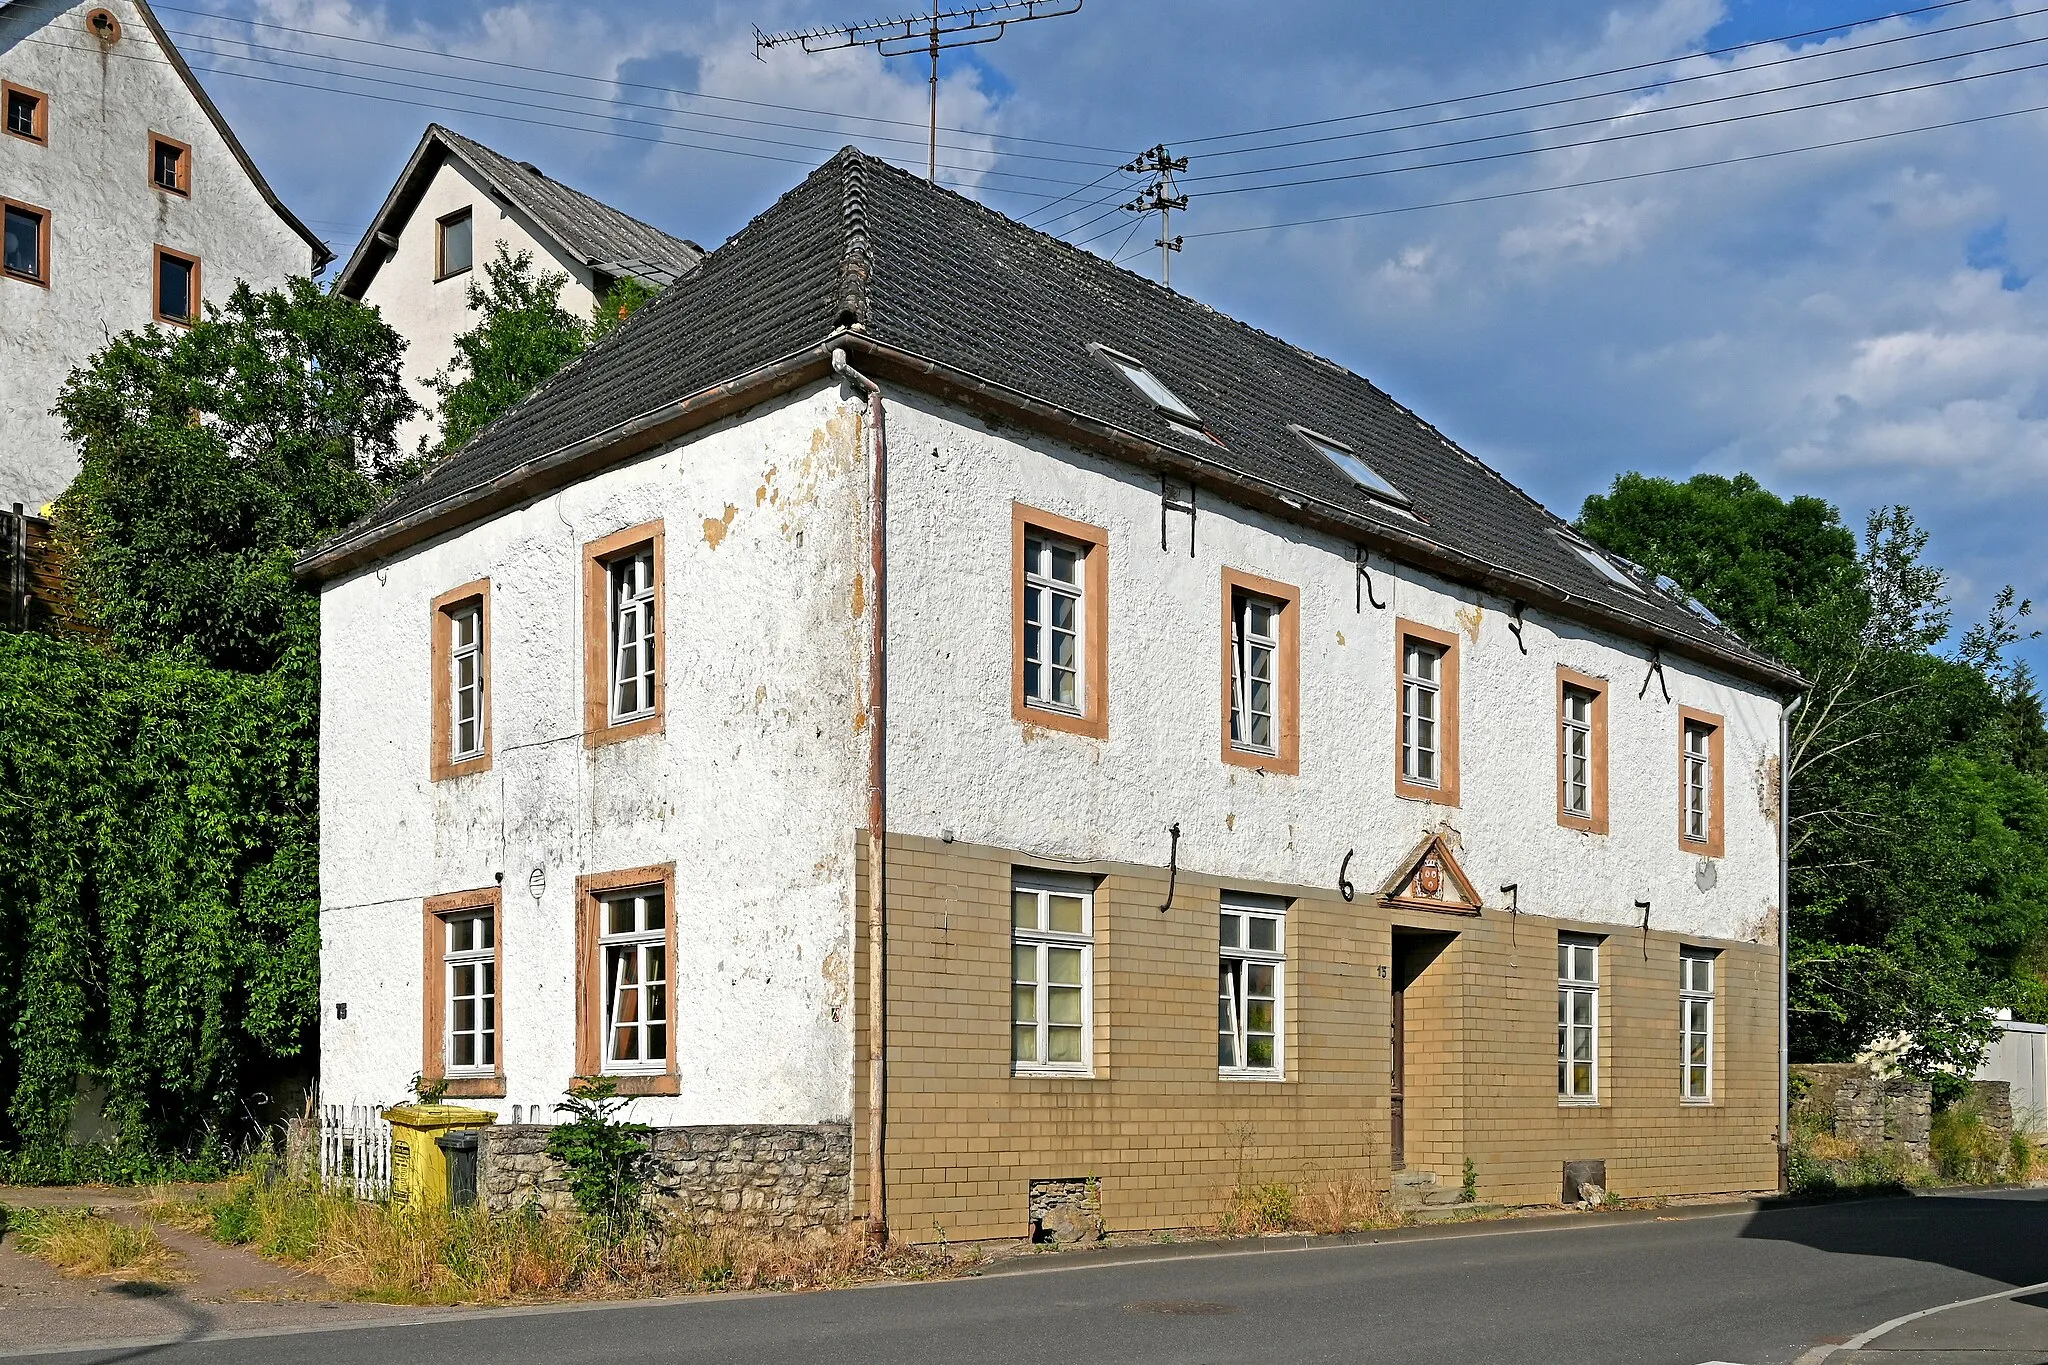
[452, 210]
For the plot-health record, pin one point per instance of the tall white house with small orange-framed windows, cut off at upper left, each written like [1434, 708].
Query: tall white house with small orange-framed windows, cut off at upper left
[128, 202]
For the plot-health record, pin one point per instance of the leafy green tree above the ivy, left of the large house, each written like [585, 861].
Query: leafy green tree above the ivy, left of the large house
[212, 455]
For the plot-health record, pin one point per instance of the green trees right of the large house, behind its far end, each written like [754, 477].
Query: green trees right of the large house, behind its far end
[1920, 848]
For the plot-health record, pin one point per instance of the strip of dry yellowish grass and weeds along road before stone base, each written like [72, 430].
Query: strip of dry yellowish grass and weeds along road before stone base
[400, 1256]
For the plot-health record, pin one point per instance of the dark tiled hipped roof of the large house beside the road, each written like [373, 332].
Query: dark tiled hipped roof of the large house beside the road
[937, 275]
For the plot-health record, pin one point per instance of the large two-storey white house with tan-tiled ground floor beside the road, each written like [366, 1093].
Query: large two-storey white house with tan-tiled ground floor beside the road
[1185, 760]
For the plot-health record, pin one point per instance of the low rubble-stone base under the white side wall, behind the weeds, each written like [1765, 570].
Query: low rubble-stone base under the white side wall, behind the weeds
[761, 1178]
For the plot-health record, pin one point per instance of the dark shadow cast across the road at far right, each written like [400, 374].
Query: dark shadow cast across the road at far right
[1998, 1237]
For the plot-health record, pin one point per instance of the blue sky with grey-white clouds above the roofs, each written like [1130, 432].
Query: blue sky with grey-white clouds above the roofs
[1863, 322]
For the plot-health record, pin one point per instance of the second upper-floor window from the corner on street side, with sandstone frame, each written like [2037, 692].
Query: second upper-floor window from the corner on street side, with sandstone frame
[1261, 674]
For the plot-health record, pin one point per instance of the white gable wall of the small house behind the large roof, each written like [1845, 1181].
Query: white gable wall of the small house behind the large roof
[433, 312]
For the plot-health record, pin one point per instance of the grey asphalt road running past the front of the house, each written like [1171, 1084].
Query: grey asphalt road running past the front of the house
[1746, 1288]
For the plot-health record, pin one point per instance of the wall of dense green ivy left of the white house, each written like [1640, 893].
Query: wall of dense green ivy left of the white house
[159, 887]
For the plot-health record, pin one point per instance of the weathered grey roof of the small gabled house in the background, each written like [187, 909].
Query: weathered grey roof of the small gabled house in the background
[587, 228]
